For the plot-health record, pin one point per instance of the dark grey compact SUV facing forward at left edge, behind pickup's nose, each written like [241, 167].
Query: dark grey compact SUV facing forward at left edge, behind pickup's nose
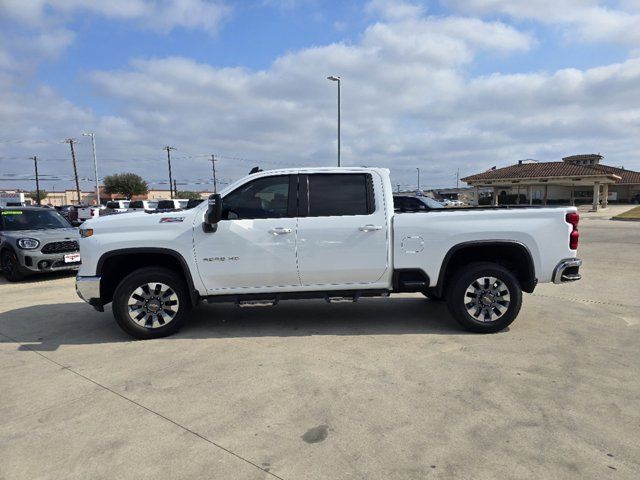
[35, 240]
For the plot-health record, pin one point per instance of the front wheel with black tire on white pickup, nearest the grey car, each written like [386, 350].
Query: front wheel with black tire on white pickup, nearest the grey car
[156, 327]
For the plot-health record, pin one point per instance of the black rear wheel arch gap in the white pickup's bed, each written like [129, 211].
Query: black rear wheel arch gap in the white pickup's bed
[511, 254]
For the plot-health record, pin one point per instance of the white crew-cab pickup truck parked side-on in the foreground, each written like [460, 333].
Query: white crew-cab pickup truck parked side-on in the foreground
[321, 233]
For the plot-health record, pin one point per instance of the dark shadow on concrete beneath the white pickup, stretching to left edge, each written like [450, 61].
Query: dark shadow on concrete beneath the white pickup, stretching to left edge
[47, 327]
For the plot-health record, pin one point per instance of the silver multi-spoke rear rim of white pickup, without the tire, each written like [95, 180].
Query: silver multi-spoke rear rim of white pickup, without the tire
[487, 299]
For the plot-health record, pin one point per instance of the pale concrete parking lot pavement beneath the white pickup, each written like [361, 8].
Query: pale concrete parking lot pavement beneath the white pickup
[383, 389]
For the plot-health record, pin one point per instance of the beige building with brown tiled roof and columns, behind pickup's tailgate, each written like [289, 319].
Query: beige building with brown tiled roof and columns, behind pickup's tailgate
[577, 179]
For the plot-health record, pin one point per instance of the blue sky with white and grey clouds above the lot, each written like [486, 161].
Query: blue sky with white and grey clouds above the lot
[441, 85]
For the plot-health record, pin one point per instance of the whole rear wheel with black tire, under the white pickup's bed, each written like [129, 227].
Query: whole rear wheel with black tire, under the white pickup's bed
[494, 302]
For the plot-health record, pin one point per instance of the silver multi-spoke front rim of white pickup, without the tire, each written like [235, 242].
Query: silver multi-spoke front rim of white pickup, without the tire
[153, 305]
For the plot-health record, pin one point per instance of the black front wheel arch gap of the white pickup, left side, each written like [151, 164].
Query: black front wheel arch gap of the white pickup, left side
[113, 266]
